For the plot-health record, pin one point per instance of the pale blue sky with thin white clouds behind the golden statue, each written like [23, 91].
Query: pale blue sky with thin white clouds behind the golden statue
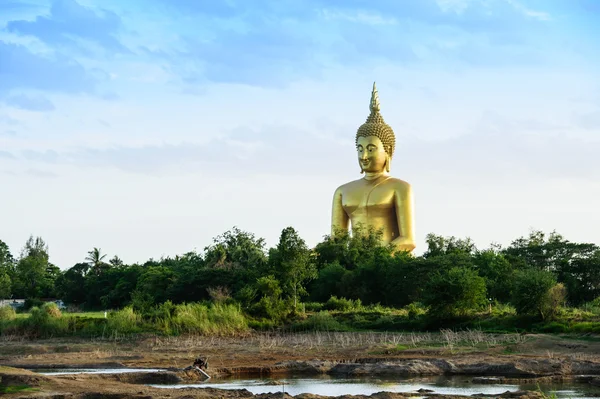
[148, 127]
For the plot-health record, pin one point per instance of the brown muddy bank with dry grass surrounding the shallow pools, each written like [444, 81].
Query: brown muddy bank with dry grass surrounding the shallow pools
[504, 357]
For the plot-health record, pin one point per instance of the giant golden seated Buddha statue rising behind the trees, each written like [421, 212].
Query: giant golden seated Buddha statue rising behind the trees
[377, 201]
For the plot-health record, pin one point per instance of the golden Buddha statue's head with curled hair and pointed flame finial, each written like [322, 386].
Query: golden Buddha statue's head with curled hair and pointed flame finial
[375, 140]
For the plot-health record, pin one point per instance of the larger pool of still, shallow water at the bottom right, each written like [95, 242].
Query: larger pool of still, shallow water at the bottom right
[455, 385]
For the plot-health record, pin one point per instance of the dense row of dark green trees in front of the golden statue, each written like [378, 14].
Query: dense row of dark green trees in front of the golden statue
[537, 274]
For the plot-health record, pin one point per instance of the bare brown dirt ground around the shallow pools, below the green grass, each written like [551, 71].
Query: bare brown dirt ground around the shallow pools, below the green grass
[263, 354]
